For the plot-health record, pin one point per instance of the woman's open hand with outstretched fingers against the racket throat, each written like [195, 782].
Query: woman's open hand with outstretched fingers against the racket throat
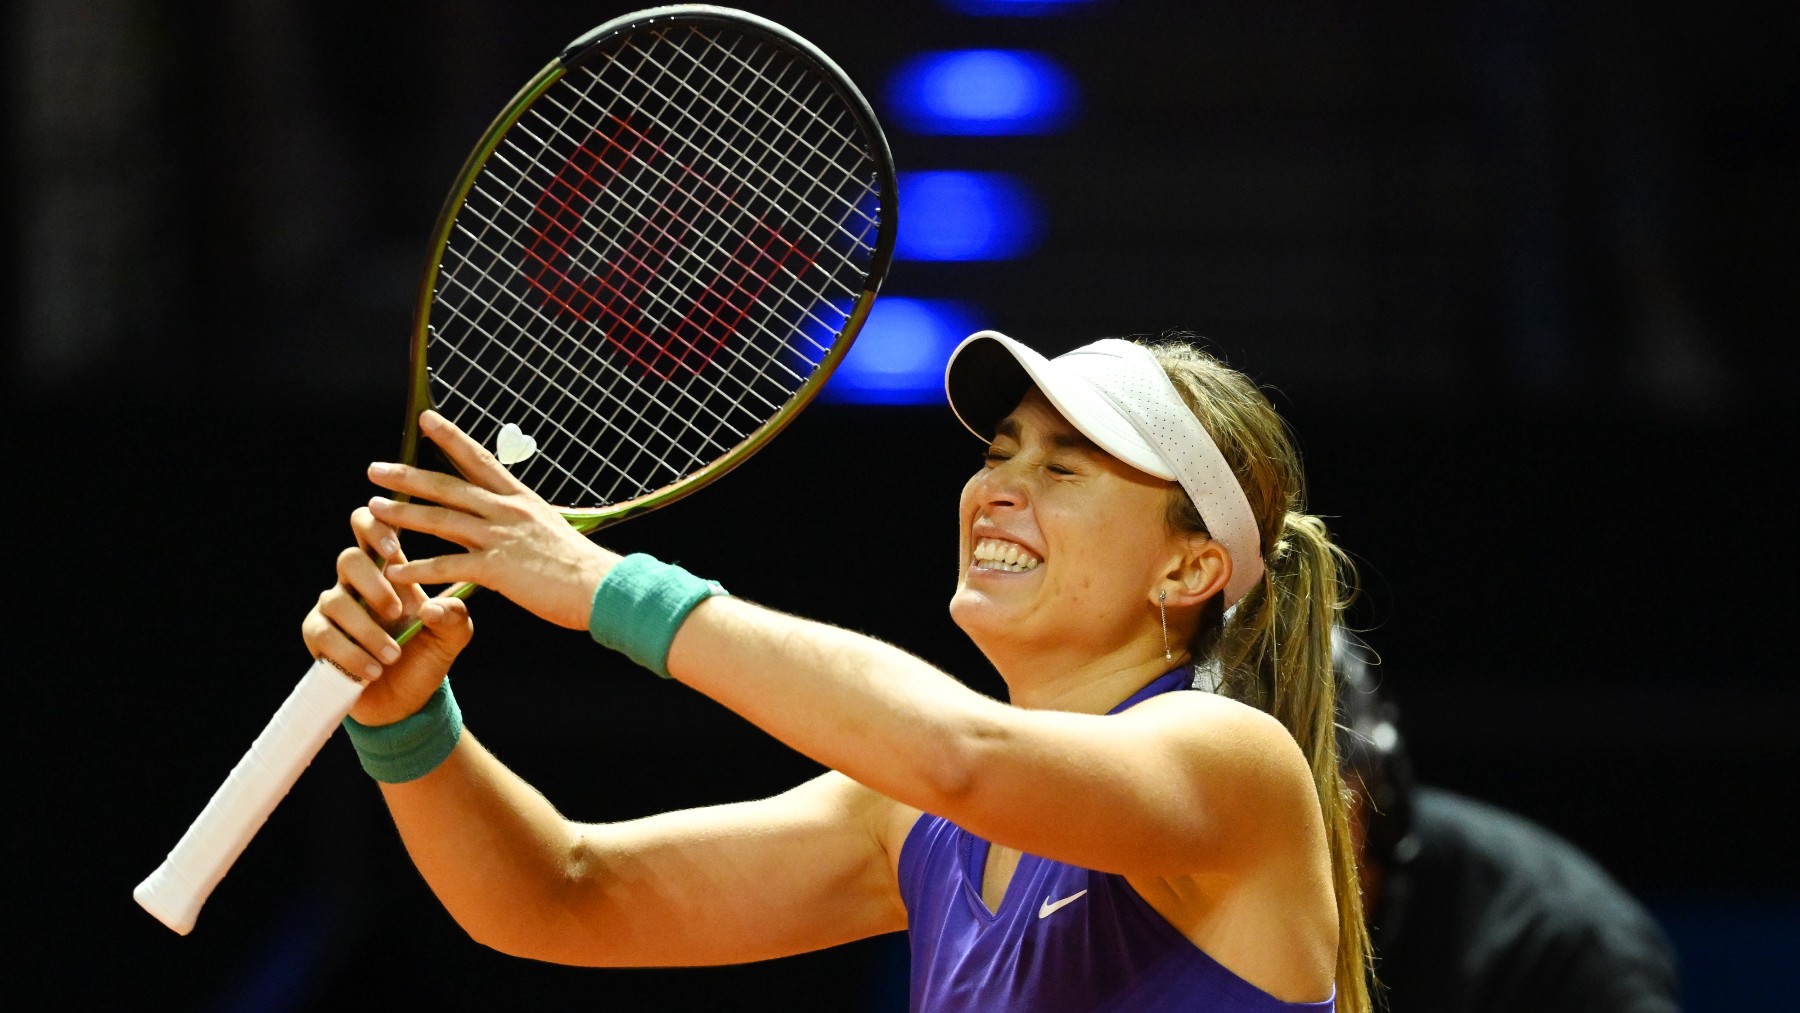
[517, 544]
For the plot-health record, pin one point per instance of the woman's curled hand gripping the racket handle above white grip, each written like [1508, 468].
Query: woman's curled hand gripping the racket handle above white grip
[355, 634]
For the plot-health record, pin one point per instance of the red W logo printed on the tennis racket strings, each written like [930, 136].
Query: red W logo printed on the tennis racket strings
[690, 253]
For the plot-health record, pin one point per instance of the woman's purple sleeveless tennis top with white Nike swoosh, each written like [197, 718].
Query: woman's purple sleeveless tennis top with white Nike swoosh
[1065, 940]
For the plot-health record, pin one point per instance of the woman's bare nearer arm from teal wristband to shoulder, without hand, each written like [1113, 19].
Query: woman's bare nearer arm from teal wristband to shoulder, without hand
[1183, 784]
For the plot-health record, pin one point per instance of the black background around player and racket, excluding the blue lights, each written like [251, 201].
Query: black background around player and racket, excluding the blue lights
[1520, 274]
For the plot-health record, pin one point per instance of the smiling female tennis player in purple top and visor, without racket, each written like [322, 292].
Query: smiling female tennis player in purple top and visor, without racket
[1108, 839]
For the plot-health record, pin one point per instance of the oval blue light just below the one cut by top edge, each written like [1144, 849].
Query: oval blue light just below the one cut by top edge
[982, 93]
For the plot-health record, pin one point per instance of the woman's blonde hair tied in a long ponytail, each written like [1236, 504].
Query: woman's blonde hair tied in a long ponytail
[1277, 650]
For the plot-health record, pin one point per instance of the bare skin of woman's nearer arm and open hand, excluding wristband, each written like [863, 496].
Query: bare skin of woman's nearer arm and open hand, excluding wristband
[1182, 784]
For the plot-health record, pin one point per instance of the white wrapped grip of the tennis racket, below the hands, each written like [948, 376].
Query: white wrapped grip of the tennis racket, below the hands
[265, 775]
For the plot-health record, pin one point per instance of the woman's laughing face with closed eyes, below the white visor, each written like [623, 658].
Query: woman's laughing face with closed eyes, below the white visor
[1061, 542]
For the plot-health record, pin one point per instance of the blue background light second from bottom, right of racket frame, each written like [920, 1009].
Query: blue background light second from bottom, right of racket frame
[966, 217]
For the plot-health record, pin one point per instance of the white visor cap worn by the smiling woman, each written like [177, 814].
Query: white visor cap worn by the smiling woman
[1119, 397]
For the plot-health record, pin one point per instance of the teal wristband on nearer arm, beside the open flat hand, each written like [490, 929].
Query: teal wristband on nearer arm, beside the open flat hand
[640, 605]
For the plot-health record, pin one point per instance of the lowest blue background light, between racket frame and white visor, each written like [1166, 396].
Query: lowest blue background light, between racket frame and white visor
[899, 357]
